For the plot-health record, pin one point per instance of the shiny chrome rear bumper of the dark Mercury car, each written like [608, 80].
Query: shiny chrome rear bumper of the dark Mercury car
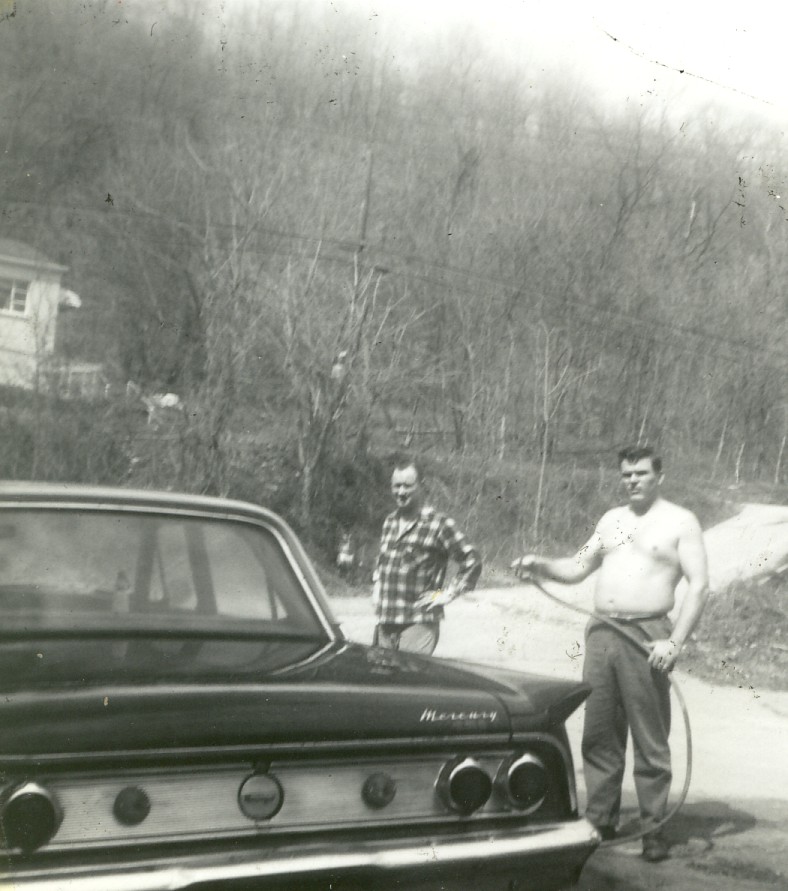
[562, 848]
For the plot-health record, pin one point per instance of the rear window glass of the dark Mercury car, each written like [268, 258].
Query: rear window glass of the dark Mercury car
[124, 567]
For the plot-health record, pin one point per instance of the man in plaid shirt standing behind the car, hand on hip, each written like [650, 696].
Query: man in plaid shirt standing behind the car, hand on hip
[415, 548]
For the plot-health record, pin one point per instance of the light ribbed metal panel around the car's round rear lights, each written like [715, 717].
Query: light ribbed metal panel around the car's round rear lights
[211, 797]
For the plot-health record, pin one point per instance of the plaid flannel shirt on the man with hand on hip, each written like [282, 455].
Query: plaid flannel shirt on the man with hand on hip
[414, 562]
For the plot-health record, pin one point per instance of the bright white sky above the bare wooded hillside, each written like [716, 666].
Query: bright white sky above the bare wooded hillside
[733, 53]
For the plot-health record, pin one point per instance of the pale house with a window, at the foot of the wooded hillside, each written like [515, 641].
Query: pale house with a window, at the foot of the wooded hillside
[30, 294]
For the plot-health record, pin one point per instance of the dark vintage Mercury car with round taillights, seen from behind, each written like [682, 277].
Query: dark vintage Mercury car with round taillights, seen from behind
[179, 709]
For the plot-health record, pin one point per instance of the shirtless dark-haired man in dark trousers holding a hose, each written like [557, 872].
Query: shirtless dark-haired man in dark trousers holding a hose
[642, 550]
